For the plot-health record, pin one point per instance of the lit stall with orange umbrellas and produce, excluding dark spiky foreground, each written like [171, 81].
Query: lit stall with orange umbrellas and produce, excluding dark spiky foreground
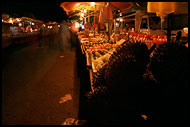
[106, 26]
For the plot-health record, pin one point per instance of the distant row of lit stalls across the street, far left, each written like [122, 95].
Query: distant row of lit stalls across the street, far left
[21, 29]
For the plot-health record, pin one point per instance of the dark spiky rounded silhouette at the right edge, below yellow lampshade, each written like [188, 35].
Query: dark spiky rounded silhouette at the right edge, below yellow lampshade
[169, 62]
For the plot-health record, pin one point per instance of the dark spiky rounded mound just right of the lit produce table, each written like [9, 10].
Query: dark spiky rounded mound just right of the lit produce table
[127, 63]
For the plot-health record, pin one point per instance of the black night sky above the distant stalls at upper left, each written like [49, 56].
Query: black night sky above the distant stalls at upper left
[43, 10]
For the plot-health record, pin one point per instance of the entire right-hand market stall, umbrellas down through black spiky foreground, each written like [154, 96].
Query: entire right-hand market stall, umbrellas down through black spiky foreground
[134, 64]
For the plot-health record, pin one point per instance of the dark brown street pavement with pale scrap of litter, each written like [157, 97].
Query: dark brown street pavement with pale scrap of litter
[39, 85]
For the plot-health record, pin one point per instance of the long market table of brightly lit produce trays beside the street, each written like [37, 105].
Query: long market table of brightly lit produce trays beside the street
[87, 50]
